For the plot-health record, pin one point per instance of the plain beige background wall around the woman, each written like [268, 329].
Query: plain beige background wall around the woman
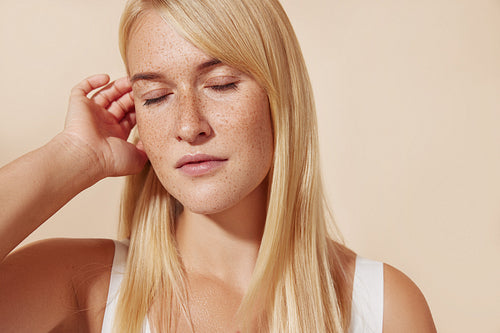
[408, 96]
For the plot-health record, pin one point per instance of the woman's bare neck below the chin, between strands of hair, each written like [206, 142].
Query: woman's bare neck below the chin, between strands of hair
[224, 245]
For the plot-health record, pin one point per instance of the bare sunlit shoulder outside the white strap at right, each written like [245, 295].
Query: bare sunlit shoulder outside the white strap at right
[405, 307]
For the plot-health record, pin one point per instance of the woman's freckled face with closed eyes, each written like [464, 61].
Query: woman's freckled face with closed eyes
[205, 126]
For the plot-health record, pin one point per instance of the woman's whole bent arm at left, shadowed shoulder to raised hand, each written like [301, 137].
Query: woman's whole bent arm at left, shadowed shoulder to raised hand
[41, 284]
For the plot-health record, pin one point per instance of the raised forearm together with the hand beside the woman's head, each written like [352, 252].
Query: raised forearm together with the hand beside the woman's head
[91, 147]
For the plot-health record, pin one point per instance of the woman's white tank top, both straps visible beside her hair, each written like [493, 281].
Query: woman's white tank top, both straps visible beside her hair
[367, 295]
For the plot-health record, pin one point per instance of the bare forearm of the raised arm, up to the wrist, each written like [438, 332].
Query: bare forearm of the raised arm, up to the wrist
[38, 184]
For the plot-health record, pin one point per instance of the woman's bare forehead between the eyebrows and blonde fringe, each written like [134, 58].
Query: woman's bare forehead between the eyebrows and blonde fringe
[155, 46]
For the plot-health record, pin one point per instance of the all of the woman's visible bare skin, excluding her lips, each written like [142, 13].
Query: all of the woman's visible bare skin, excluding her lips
[61, 285]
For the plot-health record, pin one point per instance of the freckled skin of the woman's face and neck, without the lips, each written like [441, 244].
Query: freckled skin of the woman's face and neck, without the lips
[214, 110]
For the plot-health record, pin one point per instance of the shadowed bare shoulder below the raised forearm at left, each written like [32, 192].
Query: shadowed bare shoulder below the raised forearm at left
[55, 283]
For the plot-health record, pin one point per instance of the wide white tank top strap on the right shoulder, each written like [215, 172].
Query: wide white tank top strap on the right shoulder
[367, 311]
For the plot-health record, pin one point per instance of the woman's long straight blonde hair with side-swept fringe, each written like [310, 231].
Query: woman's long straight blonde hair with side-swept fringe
[299, 283]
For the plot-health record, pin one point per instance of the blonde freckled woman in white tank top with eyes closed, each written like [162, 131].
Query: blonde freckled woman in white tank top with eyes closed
[226, 222]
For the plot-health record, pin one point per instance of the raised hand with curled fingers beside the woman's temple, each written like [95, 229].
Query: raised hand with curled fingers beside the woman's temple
[97, 128]
